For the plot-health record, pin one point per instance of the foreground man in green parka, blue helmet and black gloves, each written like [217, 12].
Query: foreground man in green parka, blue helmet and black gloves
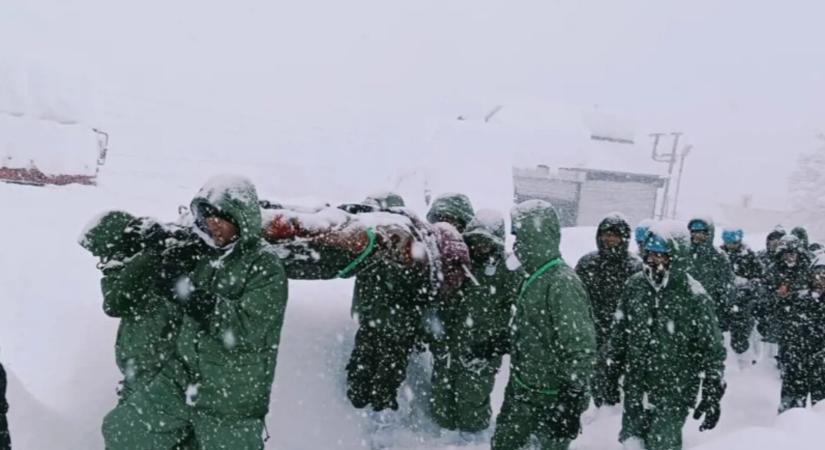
[666, 342]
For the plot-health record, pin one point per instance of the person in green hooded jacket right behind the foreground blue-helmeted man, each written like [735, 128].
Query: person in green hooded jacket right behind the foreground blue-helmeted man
[712, 269]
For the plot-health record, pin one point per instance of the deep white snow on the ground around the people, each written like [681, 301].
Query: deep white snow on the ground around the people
[58, 345]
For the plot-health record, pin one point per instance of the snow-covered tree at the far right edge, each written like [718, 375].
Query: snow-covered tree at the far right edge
[807, 189]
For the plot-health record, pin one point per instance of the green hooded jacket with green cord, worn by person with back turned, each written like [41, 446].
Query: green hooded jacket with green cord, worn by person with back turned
[553, 343]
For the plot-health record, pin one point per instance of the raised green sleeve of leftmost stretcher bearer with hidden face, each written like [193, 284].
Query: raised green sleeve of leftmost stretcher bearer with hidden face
[126, 289]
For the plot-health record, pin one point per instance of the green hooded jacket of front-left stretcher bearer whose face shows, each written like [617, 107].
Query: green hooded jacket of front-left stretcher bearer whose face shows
[230, 354]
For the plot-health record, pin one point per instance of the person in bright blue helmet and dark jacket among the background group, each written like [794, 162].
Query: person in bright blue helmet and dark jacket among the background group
[748, 284]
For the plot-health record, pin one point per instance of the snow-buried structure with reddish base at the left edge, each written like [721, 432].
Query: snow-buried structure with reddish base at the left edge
[46, 126]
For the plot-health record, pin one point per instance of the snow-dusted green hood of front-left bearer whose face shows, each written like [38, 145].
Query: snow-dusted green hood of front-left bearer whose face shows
[236, 199]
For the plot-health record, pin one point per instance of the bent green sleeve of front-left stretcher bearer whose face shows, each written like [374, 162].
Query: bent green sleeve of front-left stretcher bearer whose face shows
[252, 322]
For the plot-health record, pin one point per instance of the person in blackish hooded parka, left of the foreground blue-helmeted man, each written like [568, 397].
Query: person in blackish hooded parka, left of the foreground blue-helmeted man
[604, 273]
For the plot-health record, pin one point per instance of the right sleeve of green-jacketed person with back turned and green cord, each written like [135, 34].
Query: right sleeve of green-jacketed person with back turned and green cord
[573, 327]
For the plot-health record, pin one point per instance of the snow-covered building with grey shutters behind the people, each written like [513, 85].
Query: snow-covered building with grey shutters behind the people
[585, 161]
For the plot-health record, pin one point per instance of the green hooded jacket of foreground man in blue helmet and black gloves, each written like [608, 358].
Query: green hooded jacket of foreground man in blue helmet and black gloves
[664, 341]
